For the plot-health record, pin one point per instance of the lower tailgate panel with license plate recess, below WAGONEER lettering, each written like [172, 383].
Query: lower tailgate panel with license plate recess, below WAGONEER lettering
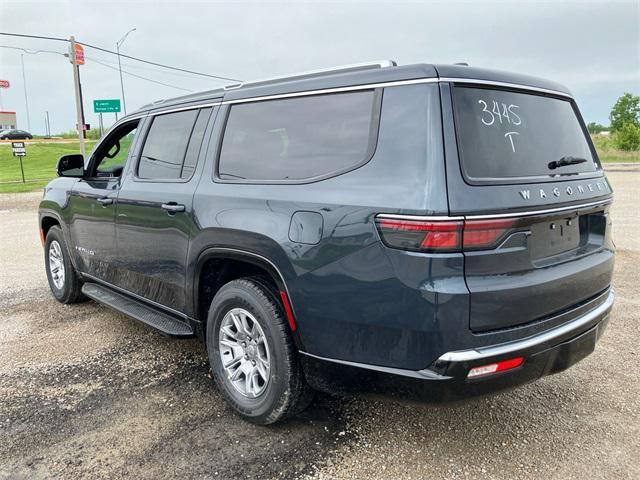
[545, 264]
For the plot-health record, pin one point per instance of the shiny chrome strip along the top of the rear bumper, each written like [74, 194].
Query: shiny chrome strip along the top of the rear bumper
[533, 341]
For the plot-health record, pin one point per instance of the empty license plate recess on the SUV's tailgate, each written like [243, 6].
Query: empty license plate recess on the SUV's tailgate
[553, 237]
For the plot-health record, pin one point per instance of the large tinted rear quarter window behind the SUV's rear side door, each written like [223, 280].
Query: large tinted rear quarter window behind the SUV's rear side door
[299, 138]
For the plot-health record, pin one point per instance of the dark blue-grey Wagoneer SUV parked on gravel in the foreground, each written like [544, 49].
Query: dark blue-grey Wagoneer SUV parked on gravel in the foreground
[426, 231]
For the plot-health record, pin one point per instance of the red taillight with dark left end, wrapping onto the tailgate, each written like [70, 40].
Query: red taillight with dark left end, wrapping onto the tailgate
[442, 235]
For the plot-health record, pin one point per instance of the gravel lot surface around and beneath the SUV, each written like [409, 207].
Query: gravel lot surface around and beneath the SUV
[87, 392]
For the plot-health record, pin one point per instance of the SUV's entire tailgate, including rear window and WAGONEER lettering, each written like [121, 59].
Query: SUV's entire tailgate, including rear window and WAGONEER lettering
[535, 201]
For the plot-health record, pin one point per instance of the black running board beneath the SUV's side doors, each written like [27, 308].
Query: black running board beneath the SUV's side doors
[138, 310]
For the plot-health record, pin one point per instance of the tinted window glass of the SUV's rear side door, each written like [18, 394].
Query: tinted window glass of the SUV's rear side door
[172, 146]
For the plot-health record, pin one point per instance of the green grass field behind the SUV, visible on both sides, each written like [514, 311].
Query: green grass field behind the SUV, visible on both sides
[40, 162]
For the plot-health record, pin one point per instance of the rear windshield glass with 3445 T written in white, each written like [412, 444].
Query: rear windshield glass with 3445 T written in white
[507, 135]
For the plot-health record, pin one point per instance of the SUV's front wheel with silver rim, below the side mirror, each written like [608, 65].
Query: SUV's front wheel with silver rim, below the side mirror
[68, 288]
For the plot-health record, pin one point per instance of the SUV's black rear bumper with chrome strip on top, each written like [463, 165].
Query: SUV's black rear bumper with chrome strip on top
[548, 352]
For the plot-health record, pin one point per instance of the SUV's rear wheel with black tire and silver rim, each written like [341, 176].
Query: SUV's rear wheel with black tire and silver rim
[285, 391]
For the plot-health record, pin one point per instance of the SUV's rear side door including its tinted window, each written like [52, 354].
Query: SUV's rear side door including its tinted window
[154, 213]
